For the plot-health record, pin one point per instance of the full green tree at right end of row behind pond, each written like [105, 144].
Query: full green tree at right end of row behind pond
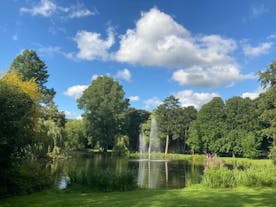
[241, 119]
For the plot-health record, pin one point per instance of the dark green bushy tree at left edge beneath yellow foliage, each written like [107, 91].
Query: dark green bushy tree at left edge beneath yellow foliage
[18, 119]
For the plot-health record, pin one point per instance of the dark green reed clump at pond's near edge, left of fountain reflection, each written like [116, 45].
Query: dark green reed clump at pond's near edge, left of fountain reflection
[104, 180]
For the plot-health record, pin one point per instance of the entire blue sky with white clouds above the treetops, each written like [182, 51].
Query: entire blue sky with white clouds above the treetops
[193, 49]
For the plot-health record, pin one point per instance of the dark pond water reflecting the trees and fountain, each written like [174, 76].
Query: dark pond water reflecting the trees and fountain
[150, 174]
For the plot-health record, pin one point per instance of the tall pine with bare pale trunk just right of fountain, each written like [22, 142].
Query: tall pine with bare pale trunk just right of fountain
[166, 116]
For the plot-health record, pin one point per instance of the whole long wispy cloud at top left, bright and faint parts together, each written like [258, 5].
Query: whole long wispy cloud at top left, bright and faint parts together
[47, 8]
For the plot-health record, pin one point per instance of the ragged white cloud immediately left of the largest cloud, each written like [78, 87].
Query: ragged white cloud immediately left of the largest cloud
[92, 47]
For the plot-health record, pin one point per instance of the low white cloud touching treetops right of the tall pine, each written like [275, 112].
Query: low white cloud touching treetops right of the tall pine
[190, 98]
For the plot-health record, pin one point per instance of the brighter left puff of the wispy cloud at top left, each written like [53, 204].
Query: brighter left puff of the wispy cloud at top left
[45, 8]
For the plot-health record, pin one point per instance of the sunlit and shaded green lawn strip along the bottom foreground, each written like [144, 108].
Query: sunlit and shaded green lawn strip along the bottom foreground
[192, 196]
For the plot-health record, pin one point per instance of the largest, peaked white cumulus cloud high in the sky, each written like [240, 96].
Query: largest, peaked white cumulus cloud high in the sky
[158, 40]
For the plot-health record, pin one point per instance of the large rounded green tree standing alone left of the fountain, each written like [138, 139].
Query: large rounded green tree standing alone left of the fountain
[103, 103]
